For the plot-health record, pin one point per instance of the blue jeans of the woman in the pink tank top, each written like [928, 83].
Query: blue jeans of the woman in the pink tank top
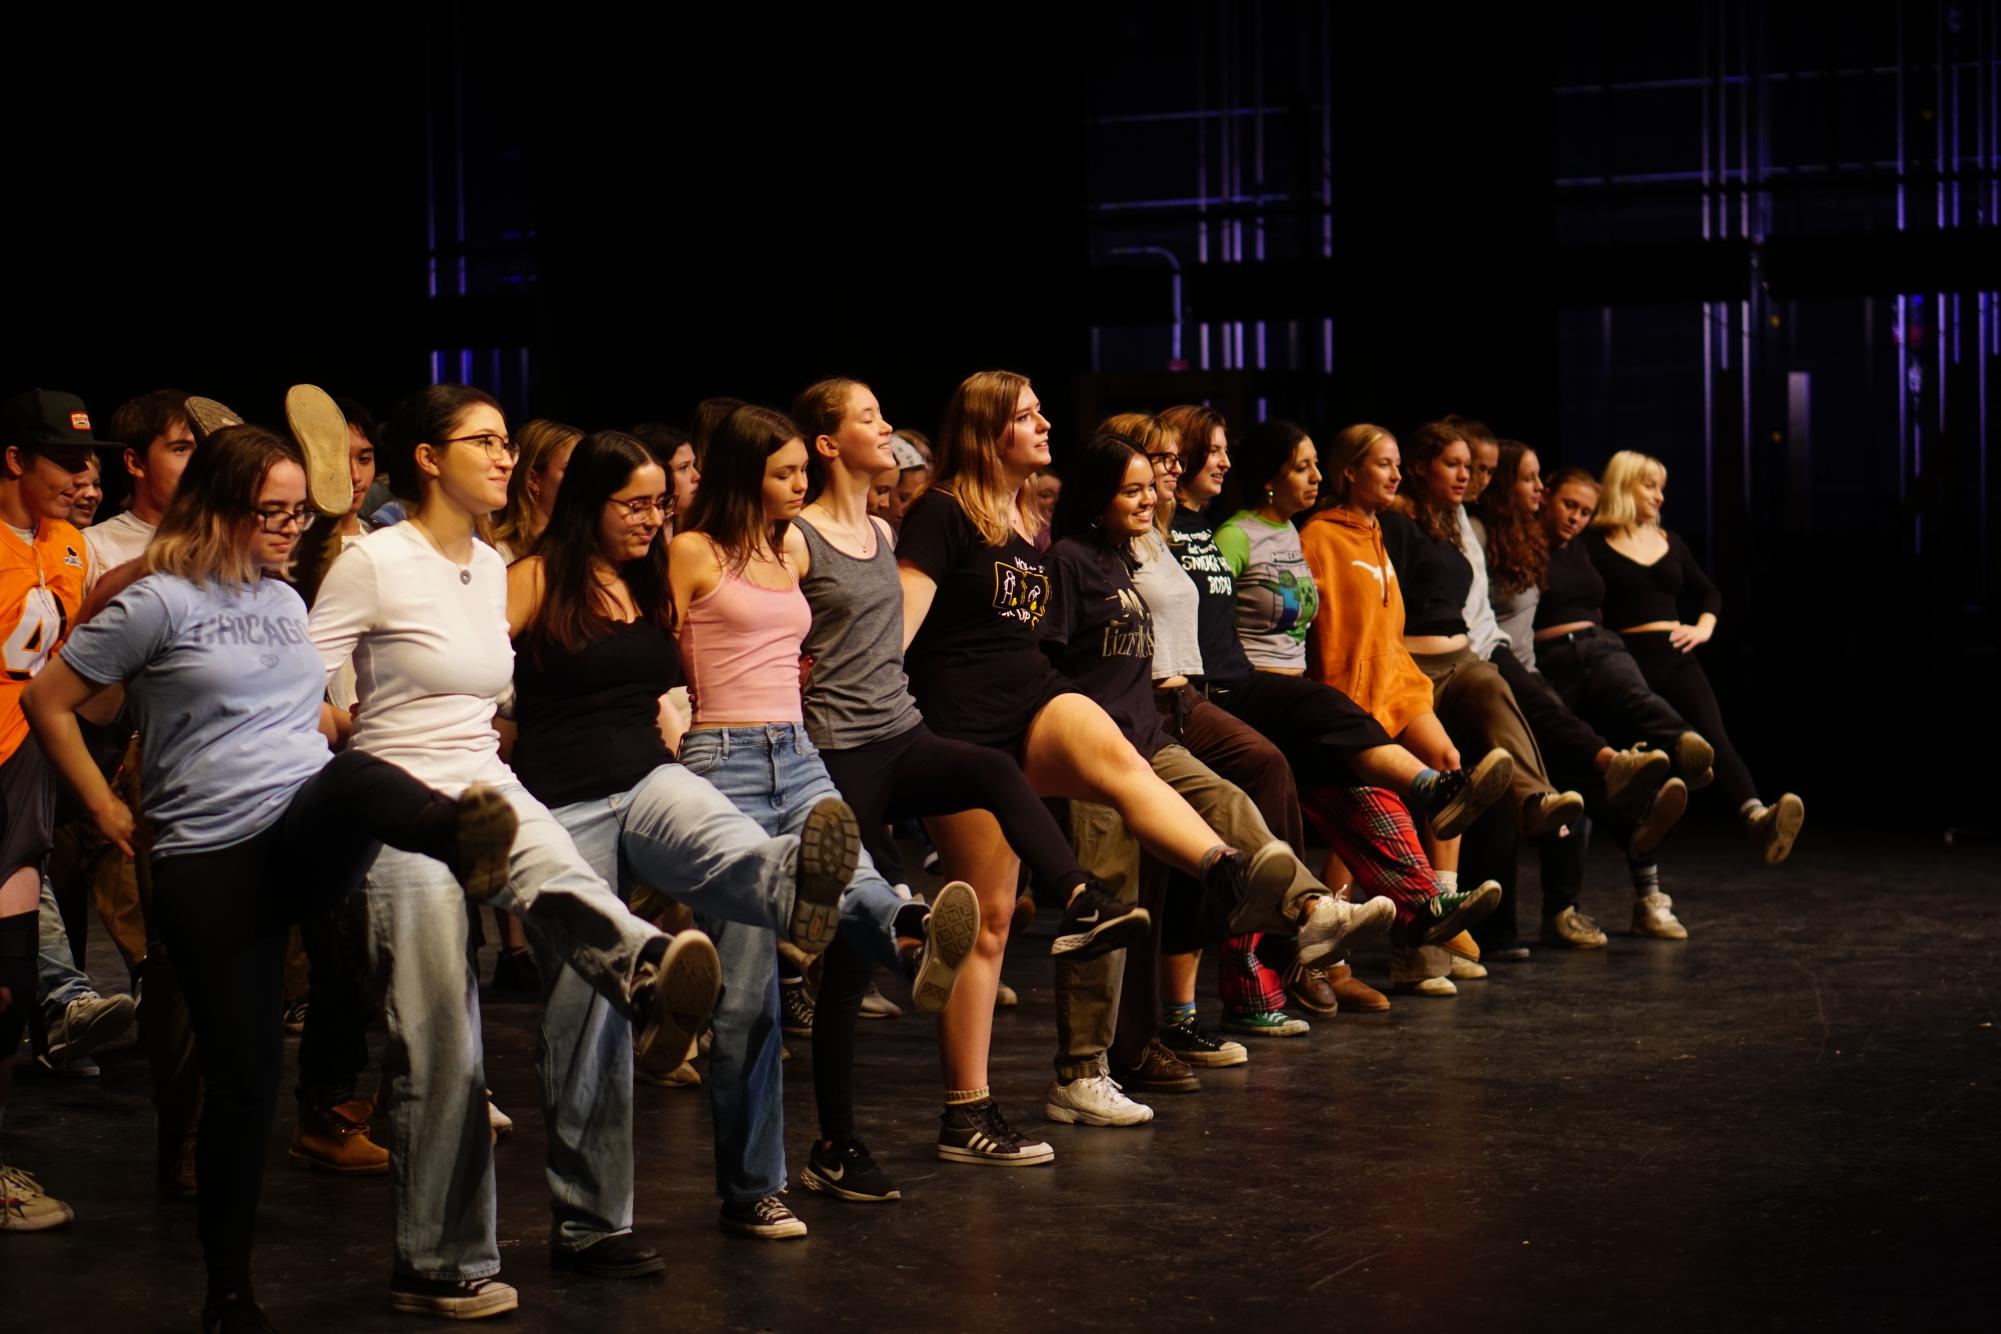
[773, 775]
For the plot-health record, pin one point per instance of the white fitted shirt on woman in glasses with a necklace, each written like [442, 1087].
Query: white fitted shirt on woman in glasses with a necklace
[431, 653]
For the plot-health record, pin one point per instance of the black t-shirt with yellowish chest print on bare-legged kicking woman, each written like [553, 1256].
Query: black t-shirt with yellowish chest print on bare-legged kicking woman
[975, 667]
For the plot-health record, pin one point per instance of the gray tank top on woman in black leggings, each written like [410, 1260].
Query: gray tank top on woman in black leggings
[855, 691]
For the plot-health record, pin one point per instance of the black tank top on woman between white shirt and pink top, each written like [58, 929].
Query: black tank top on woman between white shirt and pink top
[591, 723]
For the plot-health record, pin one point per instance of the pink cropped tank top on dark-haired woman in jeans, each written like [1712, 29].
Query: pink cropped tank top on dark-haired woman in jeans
[739, 645]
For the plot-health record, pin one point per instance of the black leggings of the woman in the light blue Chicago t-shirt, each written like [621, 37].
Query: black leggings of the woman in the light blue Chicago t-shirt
[223, 917]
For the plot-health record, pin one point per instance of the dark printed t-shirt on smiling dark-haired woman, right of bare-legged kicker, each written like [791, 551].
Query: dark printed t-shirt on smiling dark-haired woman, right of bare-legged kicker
[1100, 635]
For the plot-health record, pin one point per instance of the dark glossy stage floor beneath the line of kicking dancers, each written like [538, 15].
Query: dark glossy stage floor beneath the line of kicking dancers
[1786, 1123]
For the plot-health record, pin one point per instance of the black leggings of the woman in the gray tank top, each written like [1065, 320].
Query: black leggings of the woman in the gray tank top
[917, 775]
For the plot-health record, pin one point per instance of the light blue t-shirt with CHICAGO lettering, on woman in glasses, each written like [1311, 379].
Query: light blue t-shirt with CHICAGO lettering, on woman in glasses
[225, 687]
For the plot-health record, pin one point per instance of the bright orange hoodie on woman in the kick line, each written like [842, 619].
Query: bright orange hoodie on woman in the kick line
[1358, 639]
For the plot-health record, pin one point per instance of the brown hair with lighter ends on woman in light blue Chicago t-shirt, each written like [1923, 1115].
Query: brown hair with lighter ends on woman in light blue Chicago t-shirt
[205, 533]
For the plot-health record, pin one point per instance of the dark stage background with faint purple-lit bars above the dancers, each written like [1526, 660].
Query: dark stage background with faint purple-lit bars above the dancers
[1740, 237]
